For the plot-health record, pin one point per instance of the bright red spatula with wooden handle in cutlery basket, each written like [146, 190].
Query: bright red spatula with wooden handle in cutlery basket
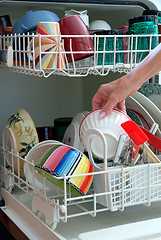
[139, 138]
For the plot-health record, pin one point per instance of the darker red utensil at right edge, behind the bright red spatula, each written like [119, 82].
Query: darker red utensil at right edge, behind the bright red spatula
[153, 140]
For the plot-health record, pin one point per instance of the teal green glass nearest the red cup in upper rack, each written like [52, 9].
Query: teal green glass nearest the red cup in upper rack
[106, 43]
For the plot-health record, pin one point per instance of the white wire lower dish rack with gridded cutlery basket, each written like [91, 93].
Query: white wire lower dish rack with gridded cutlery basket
[124, 187]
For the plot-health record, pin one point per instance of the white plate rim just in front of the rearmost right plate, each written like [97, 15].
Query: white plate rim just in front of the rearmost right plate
[132, 103]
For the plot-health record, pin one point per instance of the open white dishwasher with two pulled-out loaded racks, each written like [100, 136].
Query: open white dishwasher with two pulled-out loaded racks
[126, 204]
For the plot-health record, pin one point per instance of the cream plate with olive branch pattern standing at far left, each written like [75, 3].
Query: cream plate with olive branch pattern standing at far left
[19, 136]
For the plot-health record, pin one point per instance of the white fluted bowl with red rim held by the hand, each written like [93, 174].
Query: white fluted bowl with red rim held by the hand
[111, 128]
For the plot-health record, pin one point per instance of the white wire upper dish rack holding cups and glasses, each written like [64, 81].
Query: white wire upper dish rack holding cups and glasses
[118, 53]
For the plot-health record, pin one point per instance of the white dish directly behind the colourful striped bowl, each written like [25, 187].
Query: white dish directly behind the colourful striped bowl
[32, 157]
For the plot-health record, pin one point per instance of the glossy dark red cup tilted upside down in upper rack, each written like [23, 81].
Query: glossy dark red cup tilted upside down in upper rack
[74, 25]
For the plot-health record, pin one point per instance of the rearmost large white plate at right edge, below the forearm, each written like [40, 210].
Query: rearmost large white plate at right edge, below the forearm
[151, 108]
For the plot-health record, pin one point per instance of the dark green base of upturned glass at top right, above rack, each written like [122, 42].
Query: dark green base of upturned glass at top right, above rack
[144, 18]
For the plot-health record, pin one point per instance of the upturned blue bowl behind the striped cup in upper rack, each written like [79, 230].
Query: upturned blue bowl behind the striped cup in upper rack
[28, 23]
